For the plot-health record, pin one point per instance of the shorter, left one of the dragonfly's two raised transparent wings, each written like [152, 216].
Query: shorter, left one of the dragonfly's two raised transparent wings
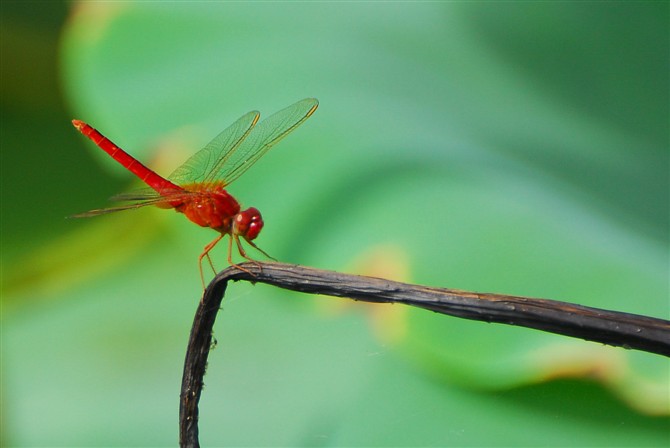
[209, 159]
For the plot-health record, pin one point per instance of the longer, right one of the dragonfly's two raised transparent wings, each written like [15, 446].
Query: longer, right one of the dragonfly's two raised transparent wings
[260, 140]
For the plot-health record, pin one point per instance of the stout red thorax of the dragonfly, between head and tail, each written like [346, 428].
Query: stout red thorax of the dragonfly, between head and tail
[213, 208]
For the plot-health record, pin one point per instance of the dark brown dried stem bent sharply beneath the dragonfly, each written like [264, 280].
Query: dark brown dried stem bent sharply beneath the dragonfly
[630, 331]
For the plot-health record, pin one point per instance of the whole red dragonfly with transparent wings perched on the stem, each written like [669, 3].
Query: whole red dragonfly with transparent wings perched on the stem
[198, 187]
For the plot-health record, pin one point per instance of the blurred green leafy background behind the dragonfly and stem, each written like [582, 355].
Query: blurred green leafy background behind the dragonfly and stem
[519, 148]
